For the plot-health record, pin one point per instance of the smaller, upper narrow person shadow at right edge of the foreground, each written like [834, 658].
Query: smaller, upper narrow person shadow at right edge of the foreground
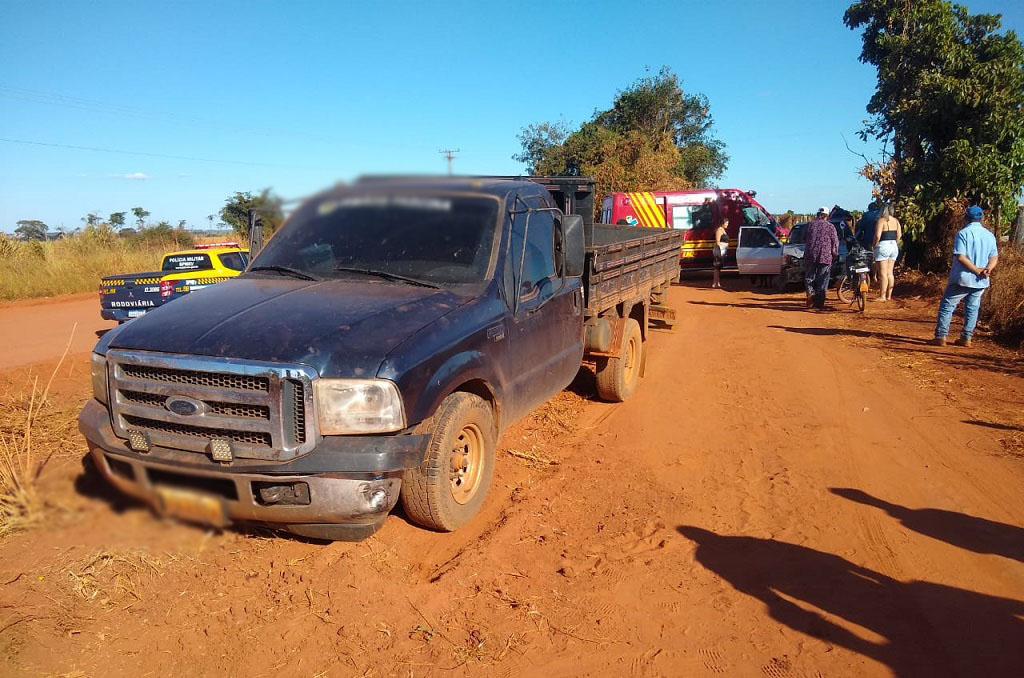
[967, 532]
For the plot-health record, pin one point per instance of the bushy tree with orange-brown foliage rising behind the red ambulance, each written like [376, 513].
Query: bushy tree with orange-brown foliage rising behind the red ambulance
[656, 137]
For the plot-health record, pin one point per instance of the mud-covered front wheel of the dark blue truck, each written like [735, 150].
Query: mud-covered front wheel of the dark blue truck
[450, 487]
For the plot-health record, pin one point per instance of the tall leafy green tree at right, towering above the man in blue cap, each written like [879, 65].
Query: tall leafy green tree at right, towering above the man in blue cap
[950, 111]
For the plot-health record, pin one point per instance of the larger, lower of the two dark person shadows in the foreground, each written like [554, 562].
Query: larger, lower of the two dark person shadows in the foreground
[926, 629]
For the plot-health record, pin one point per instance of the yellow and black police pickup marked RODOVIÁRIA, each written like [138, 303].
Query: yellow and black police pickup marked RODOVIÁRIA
[132, 295]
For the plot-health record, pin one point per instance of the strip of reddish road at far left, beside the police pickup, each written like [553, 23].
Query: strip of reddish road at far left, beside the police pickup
[38, 330]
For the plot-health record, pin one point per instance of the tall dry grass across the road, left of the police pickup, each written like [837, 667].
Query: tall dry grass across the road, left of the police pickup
[74, 265]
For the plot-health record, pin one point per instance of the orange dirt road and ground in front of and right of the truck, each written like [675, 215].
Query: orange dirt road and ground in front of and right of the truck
[788, 494]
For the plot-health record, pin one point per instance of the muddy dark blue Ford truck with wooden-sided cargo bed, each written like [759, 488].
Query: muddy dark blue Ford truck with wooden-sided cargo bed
[375, 351]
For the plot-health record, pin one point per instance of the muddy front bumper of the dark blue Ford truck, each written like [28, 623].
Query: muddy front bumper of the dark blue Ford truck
[345, 476]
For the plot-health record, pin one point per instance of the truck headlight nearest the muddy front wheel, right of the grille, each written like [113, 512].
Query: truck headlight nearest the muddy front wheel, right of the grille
[359, 406]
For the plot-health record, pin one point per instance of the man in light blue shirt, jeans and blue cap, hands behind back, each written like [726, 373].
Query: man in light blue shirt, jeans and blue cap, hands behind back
[975, 257]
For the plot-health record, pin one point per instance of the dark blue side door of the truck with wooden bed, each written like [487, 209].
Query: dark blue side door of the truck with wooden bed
[546, 326]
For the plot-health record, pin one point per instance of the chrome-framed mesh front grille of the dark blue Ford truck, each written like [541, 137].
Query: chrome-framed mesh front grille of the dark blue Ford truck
[261, 407]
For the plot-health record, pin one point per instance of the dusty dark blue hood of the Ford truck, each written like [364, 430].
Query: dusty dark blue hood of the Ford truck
[340, 328]
